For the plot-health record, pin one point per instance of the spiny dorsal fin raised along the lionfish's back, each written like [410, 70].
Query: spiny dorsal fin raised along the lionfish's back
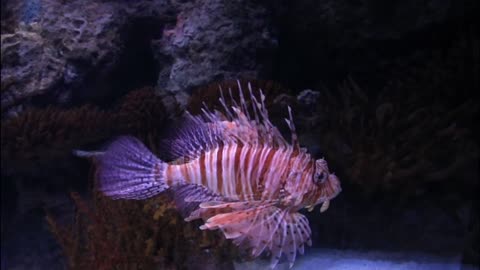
[236, 124]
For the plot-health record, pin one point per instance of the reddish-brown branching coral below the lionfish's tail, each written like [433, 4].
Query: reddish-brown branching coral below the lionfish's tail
[137, 235]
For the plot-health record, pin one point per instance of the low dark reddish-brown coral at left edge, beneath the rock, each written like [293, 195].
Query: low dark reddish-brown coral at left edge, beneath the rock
[39, 136]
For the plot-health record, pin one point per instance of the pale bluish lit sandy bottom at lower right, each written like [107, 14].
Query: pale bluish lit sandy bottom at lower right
[371, 260]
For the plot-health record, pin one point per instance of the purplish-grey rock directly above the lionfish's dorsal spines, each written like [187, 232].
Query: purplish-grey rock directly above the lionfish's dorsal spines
[214, 40]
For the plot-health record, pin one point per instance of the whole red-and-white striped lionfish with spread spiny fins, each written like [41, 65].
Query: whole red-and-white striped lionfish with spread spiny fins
[235, 171]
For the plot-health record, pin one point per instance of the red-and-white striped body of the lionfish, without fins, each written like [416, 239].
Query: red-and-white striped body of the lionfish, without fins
[243, 172]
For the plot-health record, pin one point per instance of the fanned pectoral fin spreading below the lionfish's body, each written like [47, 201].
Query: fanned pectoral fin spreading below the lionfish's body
[264, 228]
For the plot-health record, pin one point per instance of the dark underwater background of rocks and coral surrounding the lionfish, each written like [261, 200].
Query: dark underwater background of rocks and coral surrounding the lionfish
[384, 90]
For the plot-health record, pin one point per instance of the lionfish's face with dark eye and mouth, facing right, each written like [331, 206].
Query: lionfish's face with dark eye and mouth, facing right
[326, 185]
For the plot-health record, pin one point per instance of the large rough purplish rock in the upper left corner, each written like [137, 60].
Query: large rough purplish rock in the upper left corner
[52, 46]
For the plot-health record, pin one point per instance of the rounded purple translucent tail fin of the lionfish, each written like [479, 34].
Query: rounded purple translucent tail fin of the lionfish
[128, 170]
